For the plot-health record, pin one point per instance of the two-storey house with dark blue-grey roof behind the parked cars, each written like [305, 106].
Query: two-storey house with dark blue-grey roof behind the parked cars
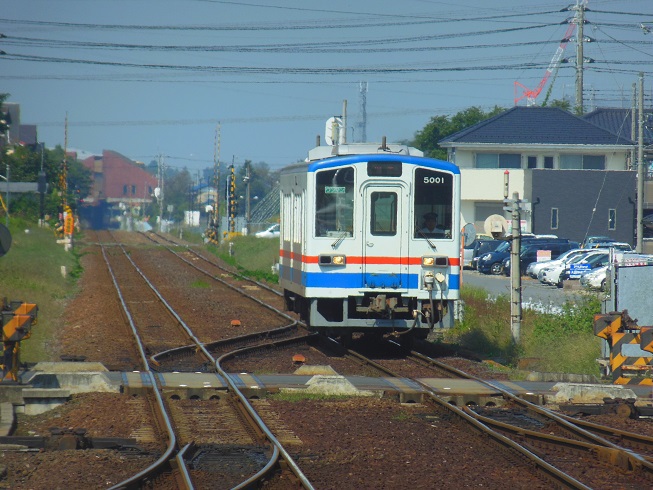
[576, 174]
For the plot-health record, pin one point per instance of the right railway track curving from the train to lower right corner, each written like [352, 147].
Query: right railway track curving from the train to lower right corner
[545, 436]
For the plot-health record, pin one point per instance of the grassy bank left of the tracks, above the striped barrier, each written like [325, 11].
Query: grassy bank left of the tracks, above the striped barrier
[31, 271]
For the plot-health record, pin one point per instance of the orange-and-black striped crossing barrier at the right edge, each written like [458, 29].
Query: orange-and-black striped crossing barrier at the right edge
[631, 348]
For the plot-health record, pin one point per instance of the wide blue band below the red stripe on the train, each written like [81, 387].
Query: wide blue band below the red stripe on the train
[353, 280]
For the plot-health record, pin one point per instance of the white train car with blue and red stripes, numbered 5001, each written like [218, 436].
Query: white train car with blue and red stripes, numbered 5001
[359, 251]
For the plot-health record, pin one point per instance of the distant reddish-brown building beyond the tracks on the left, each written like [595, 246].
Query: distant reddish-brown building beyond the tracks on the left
[121, 188]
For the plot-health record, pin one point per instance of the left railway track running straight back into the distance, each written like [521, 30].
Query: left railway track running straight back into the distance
[223, 438]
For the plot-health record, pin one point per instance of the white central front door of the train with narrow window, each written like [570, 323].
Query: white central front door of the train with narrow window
[384, 248]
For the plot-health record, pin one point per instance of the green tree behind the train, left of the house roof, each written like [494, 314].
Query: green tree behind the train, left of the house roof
[439, 127]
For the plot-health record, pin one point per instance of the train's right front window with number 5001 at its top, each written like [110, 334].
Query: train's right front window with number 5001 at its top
[433, 206]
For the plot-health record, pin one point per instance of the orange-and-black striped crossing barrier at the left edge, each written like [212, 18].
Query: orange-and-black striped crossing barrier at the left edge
[18, 318]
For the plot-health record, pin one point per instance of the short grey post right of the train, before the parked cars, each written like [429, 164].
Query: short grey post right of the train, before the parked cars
[514, 205]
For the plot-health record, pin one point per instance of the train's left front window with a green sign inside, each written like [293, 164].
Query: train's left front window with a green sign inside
[334, 203]
